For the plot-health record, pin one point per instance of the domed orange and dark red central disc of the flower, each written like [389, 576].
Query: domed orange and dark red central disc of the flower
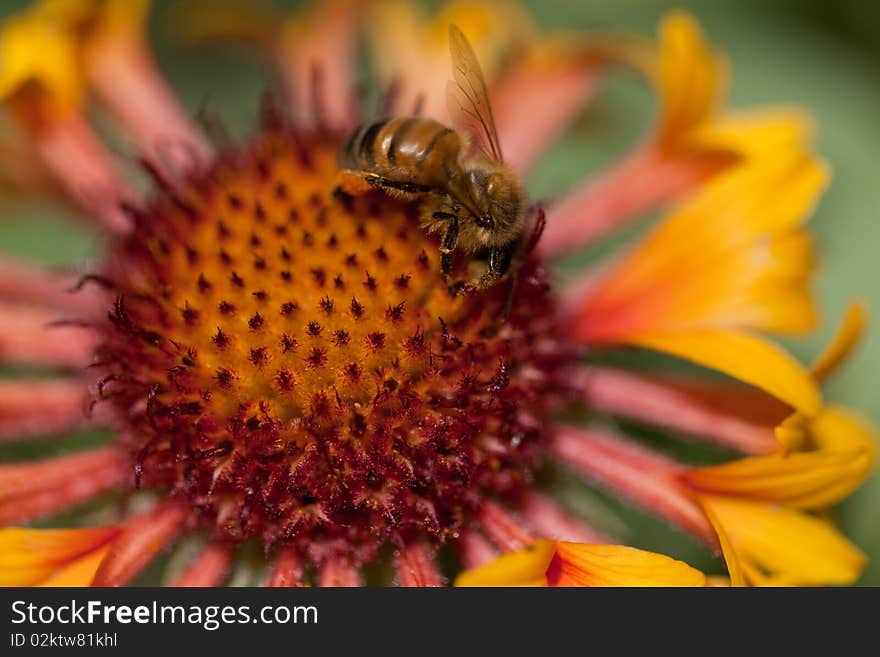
[292, 362]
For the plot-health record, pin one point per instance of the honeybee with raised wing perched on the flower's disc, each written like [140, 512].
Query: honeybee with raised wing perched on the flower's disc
[474, 200]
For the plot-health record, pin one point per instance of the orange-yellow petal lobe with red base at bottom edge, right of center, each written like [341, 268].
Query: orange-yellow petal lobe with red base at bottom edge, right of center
[577, 564]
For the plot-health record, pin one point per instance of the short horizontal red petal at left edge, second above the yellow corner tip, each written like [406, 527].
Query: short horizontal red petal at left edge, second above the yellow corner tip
[41, 408]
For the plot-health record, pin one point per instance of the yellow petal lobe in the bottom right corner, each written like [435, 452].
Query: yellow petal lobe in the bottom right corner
[789, 545]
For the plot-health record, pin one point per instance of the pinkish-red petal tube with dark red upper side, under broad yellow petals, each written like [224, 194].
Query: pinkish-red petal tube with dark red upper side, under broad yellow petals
[724, 413]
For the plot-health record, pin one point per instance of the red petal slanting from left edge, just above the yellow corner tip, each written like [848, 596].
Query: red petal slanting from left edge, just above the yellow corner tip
[36, 489]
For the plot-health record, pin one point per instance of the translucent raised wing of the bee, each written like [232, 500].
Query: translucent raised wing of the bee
[468, 96]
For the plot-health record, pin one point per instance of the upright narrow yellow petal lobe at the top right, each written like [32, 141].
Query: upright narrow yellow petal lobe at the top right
[691, 76]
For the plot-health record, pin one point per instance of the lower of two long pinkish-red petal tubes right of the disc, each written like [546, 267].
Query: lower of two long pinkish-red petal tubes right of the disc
[633, 472]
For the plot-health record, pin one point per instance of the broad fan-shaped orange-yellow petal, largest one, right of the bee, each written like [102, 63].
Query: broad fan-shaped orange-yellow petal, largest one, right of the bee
[732, 256]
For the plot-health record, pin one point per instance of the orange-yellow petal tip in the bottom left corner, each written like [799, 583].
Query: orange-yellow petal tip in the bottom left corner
[30, 556]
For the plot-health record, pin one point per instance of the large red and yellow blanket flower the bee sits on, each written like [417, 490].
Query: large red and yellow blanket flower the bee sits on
[283, 363]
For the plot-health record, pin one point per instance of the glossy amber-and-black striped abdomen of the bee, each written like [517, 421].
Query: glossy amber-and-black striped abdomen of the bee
[404, 149]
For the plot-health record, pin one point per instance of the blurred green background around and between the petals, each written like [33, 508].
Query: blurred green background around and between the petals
[823, 56]
